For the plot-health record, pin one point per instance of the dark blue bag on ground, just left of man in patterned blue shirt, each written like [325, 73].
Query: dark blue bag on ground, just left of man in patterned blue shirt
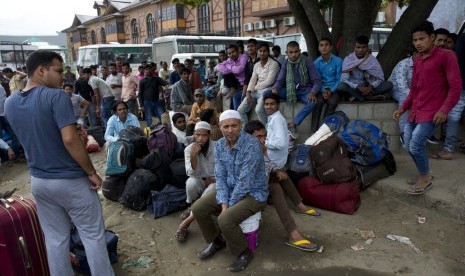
[169, 200]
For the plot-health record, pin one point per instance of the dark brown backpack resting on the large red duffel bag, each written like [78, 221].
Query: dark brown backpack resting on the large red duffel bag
[330, 161]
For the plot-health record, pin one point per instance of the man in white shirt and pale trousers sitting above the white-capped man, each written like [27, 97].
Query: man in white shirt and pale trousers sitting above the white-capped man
[263, 77]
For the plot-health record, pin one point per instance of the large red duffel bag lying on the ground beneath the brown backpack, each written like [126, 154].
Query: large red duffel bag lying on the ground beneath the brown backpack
[340, 197]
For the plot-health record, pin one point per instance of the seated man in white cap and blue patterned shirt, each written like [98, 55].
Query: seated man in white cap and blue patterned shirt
[242, 191]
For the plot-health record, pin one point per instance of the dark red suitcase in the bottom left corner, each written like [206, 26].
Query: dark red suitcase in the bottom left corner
[22, 244]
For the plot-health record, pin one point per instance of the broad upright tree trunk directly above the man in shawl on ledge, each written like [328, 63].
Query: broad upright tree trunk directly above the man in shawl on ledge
[359, 16]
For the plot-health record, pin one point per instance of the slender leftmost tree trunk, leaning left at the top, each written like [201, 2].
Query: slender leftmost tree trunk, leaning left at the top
[304, 23]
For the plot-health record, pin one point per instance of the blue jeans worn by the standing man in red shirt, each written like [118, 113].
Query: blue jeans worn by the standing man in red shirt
[415, 138]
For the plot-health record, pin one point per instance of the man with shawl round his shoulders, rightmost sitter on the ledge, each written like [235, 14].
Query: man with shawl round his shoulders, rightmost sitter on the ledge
[362, 77]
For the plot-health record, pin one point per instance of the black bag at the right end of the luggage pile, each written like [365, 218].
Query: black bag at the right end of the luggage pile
[368, 175]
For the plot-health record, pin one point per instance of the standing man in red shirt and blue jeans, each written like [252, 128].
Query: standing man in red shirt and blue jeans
[434, 91]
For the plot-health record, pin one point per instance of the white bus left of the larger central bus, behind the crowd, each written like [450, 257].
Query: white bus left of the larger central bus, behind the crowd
[104, 54]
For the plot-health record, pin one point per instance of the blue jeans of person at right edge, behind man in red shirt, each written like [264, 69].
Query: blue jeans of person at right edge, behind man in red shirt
[453, 124]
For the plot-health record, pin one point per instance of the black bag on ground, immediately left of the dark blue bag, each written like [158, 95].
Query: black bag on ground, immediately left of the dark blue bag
[136, 194]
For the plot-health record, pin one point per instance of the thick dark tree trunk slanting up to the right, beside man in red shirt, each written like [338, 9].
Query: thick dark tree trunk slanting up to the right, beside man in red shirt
[400, 38]
